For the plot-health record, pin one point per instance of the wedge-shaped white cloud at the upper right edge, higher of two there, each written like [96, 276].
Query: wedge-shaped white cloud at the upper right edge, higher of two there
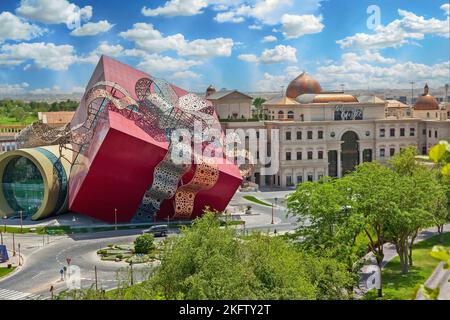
[398, 33]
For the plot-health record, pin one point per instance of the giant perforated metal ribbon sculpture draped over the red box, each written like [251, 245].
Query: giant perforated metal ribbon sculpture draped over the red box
[160, 111]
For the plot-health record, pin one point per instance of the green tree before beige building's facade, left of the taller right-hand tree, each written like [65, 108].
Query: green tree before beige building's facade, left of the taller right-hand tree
[327, 223]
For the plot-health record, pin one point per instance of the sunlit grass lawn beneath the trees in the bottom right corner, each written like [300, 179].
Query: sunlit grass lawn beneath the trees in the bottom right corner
[399, 287]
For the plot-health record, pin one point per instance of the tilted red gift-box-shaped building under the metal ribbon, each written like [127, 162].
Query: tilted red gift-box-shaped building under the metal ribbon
[111, 176]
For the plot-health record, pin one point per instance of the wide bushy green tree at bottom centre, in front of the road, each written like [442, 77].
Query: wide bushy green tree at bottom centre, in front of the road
[209, 262]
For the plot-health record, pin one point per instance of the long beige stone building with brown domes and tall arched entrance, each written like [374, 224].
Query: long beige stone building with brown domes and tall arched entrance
[329, 133]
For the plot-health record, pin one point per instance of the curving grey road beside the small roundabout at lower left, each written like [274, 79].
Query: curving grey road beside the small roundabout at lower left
[41, 266]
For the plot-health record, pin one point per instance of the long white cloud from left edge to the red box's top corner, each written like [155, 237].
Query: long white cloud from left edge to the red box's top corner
[43, 55]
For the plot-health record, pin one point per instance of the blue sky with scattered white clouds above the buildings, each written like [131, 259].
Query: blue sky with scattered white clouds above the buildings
[249, 45]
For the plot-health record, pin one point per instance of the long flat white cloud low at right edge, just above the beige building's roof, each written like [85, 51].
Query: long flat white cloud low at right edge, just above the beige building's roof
[359, 73]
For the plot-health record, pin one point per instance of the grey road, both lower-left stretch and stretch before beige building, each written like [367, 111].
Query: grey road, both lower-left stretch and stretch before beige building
[45, 256]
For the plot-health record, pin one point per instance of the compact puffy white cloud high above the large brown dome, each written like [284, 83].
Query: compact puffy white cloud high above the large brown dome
[295, 26]
